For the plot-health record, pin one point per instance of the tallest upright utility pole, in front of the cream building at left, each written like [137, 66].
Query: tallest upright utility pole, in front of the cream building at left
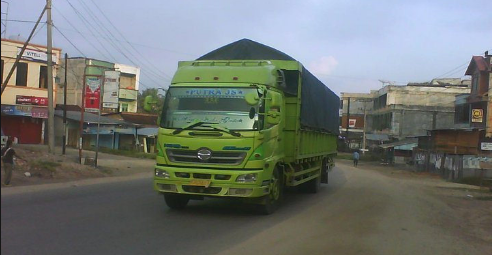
[51, 111]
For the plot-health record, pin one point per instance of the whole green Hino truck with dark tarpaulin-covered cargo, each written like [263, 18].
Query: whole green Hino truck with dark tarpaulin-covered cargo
[244, 121]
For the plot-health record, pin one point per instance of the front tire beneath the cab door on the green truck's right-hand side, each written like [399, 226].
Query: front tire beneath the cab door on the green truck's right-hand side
[272, 201]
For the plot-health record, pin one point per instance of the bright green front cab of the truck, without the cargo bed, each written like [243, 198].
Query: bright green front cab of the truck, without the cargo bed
[221, 133]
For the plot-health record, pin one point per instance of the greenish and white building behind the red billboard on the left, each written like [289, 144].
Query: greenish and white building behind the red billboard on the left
[120, 85]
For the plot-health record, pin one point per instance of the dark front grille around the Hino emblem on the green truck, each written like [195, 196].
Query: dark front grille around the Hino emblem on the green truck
[217, 157]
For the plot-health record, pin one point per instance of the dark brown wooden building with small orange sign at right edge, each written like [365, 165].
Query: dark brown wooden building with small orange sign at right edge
[465, 150]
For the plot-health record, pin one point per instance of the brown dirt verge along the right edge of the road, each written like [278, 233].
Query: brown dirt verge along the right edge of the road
[470, 216]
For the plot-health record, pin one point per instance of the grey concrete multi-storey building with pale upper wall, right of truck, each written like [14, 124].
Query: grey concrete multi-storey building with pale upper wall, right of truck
[412, 110]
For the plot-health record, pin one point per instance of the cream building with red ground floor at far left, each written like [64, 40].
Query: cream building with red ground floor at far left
[25, 99]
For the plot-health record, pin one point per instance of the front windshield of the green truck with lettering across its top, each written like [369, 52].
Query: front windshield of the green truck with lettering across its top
[223, 106]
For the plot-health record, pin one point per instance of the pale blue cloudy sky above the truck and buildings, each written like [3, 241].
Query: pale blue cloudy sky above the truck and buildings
[349, 45]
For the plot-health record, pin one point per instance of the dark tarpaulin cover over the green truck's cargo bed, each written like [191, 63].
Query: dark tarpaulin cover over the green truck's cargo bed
[319, 105]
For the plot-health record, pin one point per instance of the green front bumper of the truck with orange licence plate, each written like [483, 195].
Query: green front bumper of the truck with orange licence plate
[207, 182]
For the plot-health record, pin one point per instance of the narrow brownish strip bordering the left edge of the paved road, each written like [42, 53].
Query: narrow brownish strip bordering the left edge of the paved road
[7, 191]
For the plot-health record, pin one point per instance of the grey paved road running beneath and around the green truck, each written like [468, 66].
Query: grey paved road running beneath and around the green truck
[359, 212]
